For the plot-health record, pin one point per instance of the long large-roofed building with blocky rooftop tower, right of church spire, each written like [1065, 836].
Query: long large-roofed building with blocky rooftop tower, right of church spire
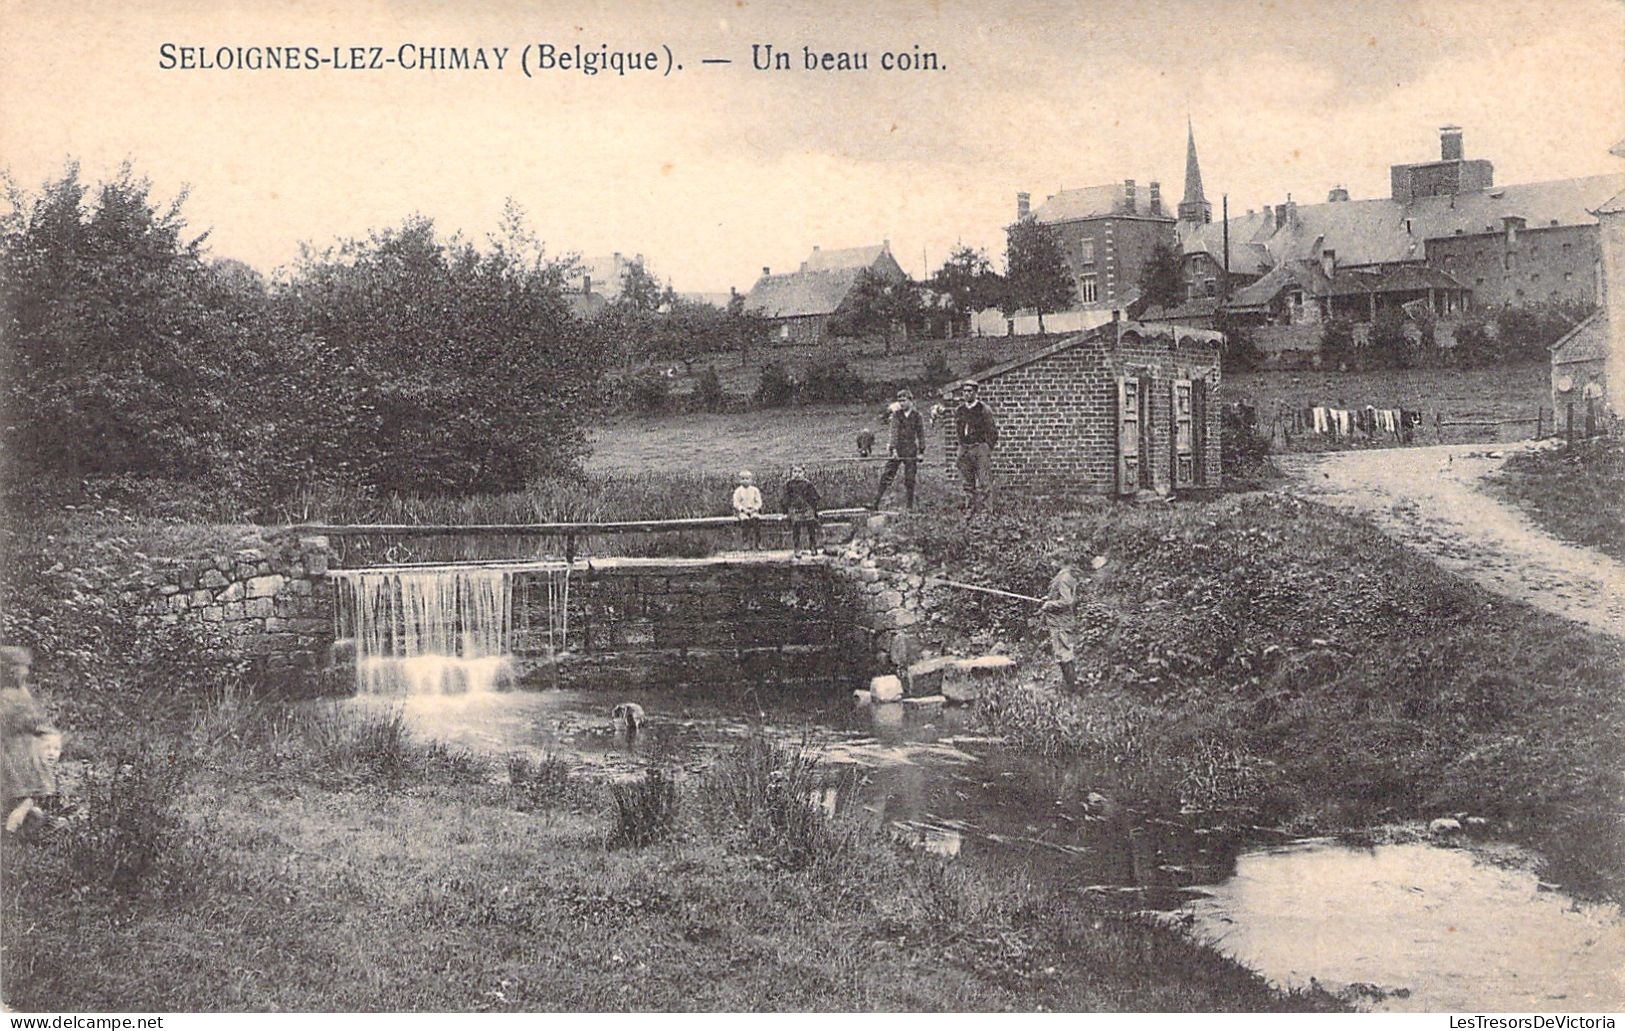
[1445, 237]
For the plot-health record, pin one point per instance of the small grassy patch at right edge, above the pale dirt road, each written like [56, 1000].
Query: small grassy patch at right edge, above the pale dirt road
[1577, 494]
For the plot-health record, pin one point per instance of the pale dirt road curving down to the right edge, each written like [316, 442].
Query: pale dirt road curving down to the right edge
[1431, 500]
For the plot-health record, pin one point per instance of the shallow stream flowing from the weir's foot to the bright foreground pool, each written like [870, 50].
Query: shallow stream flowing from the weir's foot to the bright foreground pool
[1431, 928]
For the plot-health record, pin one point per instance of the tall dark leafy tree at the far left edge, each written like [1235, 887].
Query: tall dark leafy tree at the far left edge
[116, 362]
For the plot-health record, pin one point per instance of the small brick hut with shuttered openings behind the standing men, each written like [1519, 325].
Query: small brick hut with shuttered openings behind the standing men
[1116, 411]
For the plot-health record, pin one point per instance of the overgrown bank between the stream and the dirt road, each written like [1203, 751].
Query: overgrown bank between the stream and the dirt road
[1270, 656]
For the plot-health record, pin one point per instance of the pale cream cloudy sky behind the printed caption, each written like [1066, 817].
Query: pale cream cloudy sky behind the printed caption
[716, 172]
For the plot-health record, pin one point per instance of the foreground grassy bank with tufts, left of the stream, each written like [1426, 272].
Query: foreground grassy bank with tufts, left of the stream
[280, 861]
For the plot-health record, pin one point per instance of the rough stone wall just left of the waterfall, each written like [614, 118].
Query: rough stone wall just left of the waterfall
[274, 601]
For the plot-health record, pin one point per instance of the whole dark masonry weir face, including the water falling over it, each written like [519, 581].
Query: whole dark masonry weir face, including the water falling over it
[620, 622]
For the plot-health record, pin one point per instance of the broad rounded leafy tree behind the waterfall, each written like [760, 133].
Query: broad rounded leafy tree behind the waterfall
[444, 370]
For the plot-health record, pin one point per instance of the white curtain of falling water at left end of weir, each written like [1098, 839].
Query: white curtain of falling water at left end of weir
[428, 632]
